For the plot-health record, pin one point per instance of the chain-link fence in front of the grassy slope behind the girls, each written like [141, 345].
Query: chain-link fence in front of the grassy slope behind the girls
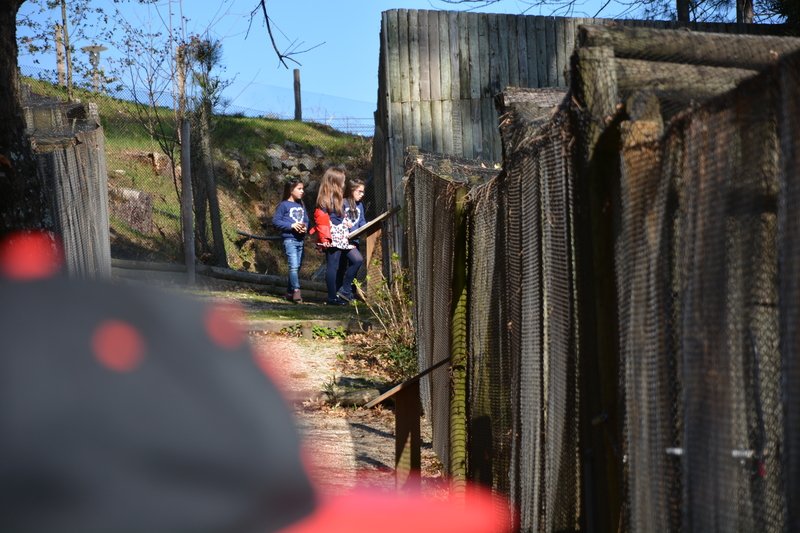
[238, 168]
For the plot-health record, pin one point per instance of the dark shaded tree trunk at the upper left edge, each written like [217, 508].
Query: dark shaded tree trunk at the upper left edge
[25, 201]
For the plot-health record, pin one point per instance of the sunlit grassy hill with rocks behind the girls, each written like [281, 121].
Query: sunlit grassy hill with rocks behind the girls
[249, 184]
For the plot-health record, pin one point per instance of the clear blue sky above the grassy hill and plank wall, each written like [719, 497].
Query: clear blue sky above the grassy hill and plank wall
[339, 78]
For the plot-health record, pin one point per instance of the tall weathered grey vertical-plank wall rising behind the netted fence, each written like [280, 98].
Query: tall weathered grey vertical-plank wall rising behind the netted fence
[440, 70]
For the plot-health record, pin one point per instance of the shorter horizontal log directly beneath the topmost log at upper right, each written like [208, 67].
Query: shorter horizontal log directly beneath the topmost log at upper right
[694, 81]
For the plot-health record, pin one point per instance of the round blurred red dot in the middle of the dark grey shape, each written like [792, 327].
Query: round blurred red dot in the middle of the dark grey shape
[118, 346]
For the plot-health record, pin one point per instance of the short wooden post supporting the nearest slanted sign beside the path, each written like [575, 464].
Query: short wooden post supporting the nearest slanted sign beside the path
[407, 439]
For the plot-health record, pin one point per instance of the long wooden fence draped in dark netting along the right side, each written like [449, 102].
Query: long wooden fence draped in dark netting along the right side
[631, 354]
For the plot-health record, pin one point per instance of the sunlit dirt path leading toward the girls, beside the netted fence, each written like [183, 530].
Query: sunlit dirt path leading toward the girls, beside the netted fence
[344, 447]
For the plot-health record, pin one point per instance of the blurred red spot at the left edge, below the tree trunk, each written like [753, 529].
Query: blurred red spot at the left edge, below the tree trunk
[30, 254]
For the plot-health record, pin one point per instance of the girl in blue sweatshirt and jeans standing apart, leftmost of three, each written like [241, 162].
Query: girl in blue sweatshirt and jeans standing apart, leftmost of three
[291, 218]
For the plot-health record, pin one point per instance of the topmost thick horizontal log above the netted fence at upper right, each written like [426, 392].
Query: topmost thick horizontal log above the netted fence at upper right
[711, 49]
